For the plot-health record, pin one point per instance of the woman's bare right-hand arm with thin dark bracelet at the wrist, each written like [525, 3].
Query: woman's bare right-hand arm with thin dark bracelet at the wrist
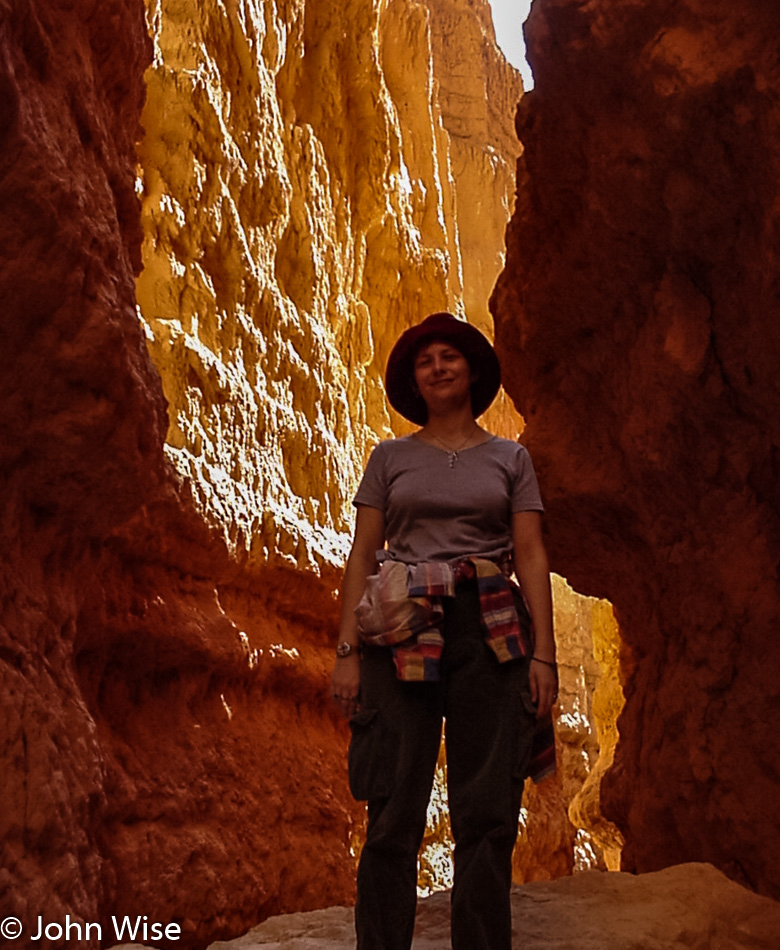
[533, 572]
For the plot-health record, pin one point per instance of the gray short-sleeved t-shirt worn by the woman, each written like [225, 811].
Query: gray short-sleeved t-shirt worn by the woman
[437, 512]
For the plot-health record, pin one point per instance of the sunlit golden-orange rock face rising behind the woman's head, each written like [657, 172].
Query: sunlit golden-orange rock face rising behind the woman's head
[303, 173]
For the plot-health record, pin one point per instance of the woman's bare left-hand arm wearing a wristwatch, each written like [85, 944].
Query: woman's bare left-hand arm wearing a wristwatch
[369, 538]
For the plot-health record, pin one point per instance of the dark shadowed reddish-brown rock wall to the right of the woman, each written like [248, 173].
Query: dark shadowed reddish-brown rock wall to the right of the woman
[638, 320]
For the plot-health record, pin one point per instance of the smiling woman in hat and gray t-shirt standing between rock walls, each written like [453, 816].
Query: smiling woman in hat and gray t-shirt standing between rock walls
[431, 629]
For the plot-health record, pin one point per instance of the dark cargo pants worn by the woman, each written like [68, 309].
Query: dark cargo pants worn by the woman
[393, 753]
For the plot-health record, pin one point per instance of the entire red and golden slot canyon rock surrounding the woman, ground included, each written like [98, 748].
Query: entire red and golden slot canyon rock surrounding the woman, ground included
[217, 217]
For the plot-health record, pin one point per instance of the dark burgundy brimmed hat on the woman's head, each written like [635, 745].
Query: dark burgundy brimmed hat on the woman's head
[399, 375]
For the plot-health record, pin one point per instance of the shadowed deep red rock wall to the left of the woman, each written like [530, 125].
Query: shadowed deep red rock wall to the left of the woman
[146, 679]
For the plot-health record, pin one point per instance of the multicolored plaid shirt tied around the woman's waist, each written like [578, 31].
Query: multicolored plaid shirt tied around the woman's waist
[402, 607]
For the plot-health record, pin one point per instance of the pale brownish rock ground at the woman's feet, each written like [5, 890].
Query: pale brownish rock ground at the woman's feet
[691, 906]
